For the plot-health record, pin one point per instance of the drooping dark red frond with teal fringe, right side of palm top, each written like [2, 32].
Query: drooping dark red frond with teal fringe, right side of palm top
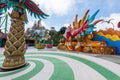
[34, 9]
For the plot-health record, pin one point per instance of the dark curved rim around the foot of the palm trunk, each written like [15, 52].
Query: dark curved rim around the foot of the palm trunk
[5, 69]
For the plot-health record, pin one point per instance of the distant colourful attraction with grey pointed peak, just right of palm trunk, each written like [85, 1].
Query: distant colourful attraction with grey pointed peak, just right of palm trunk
[38, 36]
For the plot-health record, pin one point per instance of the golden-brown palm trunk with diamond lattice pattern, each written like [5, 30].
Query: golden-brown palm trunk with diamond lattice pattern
[15, 46]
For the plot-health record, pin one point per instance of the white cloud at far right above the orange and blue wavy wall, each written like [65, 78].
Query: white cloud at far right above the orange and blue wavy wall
[116, 19]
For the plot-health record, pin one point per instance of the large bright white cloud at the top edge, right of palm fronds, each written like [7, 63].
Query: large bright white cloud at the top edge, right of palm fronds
[58, 7]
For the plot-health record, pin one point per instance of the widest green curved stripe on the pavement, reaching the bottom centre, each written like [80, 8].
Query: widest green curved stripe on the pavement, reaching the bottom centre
[62, 70]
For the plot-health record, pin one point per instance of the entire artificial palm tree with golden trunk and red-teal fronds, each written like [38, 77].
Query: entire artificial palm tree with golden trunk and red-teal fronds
[15, 44]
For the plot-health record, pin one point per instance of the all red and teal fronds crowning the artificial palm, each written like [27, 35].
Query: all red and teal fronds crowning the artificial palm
[32, 8]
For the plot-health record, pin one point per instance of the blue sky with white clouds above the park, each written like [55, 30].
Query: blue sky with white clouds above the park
[62, 12]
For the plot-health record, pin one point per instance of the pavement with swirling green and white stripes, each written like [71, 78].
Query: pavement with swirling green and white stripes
[53, 64]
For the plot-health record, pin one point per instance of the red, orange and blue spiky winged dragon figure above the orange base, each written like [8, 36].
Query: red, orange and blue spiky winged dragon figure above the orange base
[85, 25]
